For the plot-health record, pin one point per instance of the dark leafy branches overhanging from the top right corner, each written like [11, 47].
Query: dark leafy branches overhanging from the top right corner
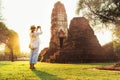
[104, 10]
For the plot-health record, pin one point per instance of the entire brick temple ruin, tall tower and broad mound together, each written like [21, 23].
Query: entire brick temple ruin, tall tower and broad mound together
[75, 44]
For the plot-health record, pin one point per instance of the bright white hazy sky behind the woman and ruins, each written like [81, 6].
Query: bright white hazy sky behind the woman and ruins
[19, 15]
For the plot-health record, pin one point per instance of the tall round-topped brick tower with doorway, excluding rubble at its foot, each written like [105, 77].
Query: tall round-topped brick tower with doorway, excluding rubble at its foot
[59, 26]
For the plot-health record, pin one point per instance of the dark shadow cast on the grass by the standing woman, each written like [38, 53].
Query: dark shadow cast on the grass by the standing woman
[45, 76]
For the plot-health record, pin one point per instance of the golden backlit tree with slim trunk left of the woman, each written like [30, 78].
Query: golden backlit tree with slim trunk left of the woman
[10, 38]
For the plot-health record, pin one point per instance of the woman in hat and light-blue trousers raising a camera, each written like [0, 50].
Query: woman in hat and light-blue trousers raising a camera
[34, 45]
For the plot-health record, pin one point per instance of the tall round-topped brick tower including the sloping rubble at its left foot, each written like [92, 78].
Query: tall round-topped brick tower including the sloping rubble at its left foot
[58, 31]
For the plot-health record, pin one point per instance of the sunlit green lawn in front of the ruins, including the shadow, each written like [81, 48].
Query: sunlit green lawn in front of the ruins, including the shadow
[19, 70]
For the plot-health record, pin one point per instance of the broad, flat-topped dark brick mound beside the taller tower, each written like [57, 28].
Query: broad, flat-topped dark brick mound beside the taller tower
[82, 45]
